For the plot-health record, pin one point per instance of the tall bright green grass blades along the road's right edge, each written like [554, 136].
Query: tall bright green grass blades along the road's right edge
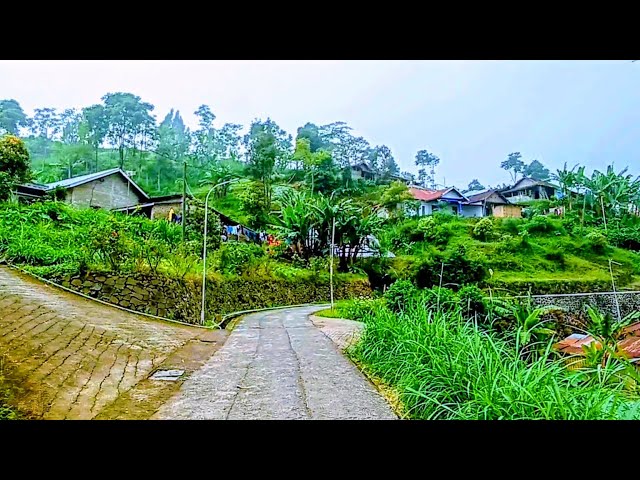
[445, 367]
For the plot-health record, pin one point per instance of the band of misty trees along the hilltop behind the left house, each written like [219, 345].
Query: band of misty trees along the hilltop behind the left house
[123, 131]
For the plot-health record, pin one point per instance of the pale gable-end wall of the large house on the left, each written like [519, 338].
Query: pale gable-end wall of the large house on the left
[107, 192]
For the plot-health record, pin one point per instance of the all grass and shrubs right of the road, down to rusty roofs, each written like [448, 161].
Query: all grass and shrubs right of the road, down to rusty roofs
[449, 356]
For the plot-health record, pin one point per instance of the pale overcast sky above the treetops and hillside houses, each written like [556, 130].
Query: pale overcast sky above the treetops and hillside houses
[471, 114]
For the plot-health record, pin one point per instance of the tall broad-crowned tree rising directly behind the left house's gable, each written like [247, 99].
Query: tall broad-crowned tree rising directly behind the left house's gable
[127, 115]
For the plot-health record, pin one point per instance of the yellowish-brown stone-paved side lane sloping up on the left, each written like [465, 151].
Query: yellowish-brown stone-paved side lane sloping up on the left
[71, 357]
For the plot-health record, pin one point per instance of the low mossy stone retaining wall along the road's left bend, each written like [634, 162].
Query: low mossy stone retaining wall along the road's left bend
[181, 299]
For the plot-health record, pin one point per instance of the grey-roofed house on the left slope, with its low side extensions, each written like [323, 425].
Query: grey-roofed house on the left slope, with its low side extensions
[110, 189]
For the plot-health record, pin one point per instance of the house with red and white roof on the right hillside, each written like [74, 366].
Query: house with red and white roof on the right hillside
[447, 199]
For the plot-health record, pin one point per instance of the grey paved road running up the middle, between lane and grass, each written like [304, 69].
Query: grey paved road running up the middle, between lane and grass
[277, 365]
